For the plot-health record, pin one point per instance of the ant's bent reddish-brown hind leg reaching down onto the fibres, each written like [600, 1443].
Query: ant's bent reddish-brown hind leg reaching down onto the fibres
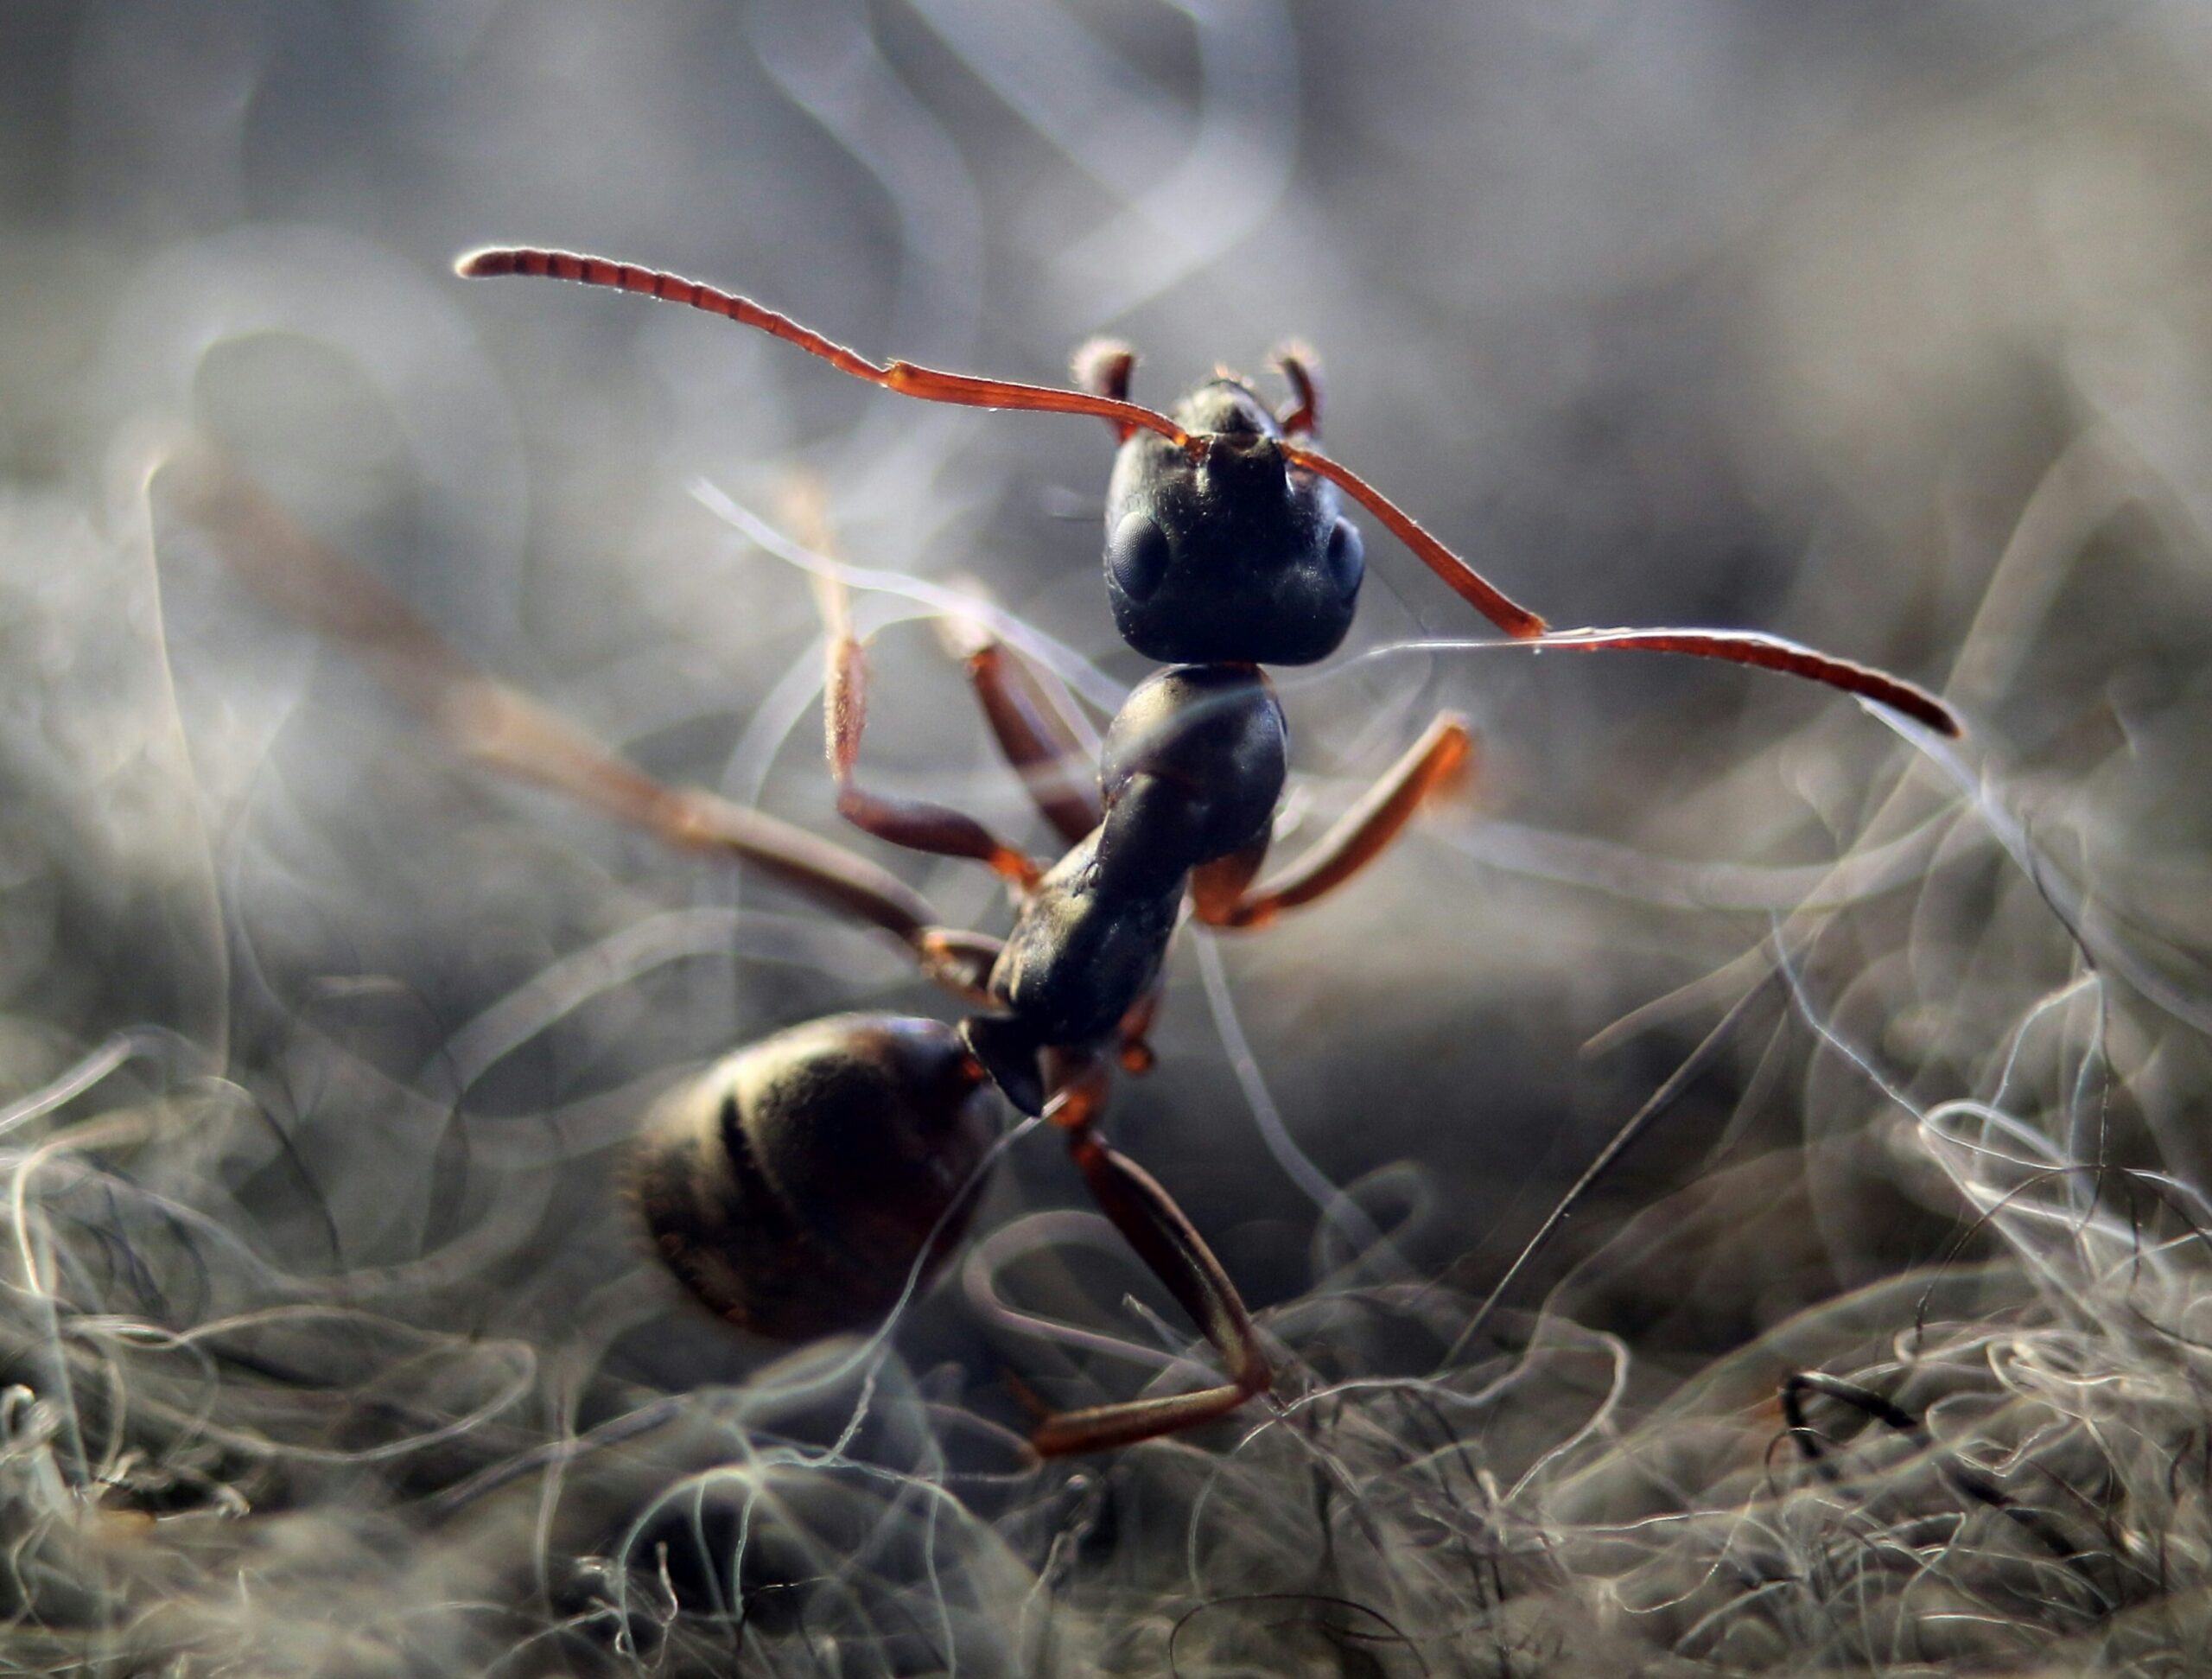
[1147, 1216]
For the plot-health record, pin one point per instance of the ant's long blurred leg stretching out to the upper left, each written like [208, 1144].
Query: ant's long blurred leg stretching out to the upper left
[514, 736]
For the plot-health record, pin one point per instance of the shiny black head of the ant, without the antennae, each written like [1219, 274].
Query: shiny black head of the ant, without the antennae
[1227, 552]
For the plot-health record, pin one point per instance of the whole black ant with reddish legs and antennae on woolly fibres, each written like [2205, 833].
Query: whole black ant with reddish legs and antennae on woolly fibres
[802, 1182]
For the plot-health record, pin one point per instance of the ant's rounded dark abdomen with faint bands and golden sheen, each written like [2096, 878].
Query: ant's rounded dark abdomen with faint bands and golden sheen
[795, 1185]
